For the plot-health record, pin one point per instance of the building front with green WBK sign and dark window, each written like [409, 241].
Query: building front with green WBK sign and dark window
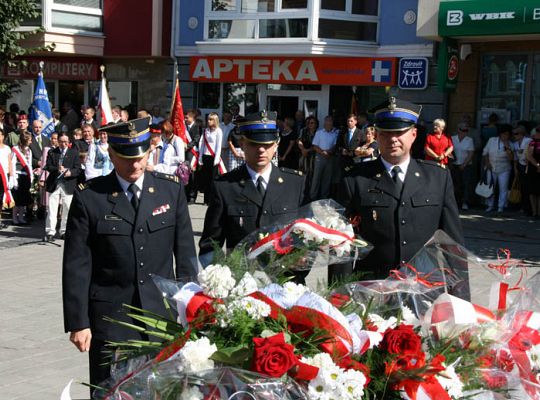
[498, 47]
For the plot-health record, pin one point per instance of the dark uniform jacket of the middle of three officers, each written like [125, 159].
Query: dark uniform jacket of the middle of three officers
[237, 209]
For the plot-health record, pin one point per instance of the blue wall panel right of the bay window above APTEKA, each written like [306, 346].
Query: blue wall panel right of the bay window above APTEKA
[392, 28]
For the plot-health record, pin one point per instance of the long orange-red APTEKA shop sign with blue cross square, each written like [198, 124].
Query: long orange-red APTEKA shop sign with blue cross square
[295, 70]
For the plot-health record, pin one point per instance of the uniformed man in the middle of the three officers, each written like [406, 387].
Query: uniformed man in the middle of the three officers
[253, 195]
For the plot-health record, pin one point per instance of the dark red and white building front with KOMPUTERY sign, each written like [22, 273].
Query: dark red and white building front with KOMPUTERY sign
[131, 38]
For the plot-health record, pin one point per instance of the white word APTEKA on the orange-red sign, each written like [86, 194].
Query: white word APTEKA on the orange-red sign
[261, 69]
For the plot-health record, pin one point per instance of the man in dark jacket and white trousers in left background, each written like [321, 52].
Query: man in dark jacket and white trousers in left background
[63, 165]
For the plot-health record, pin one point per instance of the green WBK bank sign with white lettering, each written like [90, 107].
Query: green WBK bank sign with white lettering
[494, 17]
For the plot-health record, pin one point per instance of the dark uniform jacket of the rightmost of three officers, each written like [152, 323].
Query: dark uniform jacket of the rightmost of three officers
[398, 226]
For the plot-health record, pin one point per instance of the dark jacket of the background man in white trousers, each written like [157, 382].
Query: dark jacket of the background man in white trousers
[71, 161]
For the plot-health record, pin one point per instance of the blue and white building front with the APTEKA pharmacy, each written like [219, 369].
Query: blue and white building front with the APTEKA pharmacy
[289, 55]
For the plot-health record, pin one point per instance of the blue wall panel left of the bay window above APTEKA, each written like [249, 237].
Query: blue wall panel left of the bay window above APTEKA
[186, 36]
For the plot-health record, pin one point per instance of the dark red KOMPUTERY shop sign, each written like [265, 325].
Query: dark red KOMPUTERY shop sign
[74, 69]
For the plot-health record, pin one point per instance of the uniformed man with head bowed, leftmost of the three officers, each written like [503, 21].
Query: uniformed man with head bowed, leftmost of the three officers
[121, 228]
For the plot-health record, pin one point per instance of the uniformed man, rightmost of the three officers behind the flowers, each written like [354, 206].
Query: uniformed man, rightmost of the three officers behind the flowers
[397, 202]
